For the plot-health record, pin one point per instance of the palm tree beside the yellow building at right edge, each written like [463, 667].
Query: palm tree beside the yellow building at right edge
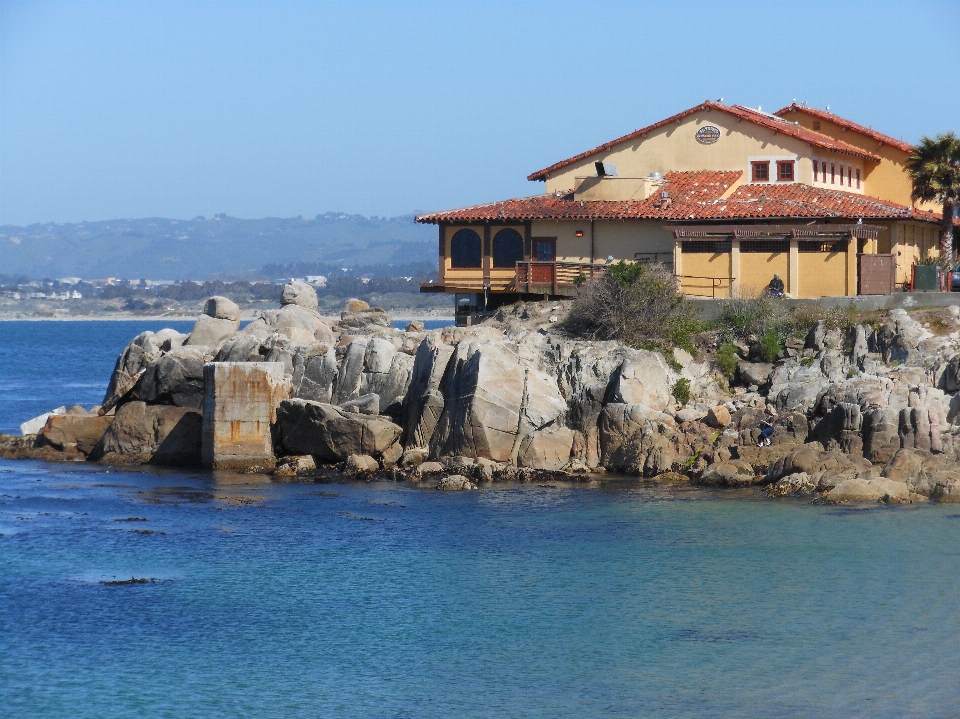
[935, 170]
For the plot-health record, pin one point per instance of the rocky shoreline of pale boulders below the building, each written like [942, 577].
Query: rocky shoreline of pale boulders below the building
[869, 414]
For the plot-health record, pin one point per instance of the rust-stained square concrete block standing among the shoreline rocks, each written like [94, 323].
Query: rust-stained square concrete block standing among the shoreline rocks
[240, 404]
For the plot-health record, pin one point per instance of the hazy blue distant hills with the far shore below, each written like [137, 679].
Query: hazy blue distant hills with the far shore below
[221, 246]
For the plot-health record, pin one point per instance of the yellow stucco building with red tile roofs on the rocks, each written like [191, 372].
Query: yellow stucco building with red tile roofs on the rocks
[725, 195]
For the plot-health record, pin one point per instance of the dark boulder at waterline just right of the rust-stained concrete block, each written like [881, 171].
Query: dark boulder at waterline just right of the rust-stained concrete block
[328, 433]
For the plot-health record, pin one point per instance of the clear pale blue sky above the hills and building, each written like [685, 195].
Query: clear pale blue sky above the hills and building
[178, 109]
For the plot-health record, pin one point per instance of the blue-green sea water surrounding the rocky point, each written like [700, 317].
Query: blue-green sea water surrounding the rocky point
[346, 599]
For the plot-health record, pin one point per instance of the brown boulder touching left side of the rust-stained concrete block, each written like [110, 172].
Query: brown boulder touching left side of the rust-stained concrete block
[157, 434]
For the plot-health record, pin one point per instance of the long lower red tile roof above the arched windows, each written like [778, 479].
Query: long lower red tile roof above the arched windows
[695, 196]
